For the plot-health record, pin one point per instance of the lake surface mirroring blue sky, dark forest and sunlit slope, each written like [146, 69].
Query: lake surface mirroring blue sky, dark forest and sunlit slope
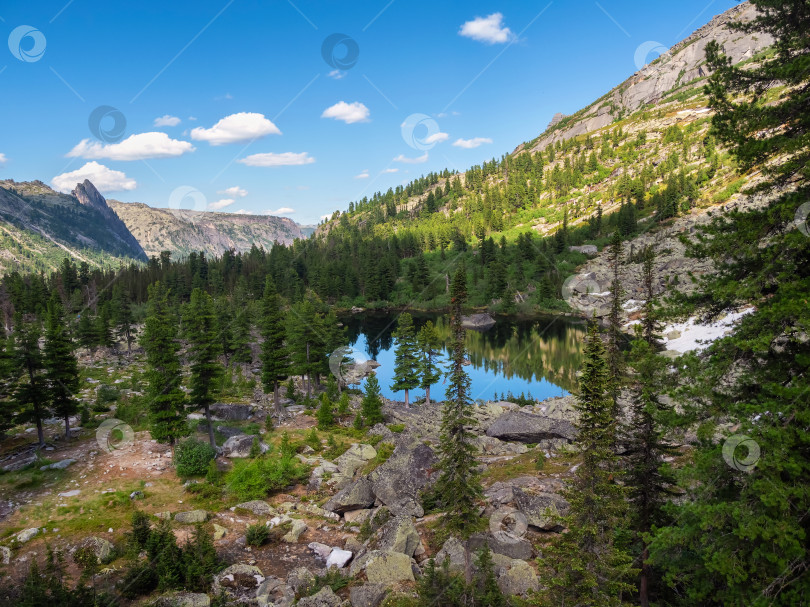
[538, 357]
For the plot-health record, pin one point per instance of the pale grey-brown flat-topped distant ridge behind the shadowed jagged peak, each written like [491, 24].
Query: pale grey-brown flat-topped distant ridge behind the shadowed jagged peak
[183, 231]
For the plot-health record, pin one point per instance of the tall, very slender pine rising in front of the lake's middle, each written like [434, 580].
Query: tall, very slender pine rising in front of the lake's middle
[458, 487]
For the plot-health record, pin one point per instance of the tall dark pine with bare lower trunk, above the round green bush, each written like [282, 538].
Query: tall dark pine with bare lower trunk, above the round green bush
[200, 326]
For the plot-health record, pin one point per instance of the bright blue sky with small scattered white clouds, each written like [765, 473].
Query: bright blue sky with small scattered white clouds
[242, 105]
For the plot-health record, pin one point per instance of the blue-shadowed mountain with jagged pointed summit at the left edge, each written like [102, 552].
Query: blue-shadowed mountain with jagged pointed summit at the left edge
[39, 227]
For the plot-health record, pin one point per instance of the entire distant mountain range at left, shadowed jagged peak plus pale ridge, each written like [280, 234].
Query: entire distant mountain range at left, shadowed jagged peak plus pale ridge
[39, 227]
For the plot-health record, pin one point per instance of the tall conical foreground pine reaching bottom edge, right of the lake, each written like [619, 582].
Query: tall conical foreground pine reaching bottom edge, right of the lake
[586, 566]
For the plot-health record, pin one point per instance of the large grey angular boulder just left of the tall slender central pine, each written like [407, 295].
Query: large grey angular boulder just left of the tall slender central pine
[399, 481]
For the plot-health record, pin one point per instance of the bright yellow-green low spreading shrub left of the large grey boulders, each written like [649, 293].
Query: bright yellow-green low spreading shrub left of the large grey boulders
[256, 478]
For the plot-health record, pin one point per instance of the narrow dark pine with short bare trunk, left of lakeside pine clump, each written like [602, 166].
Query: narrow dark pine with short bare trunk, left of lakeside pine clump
[274, 354]
